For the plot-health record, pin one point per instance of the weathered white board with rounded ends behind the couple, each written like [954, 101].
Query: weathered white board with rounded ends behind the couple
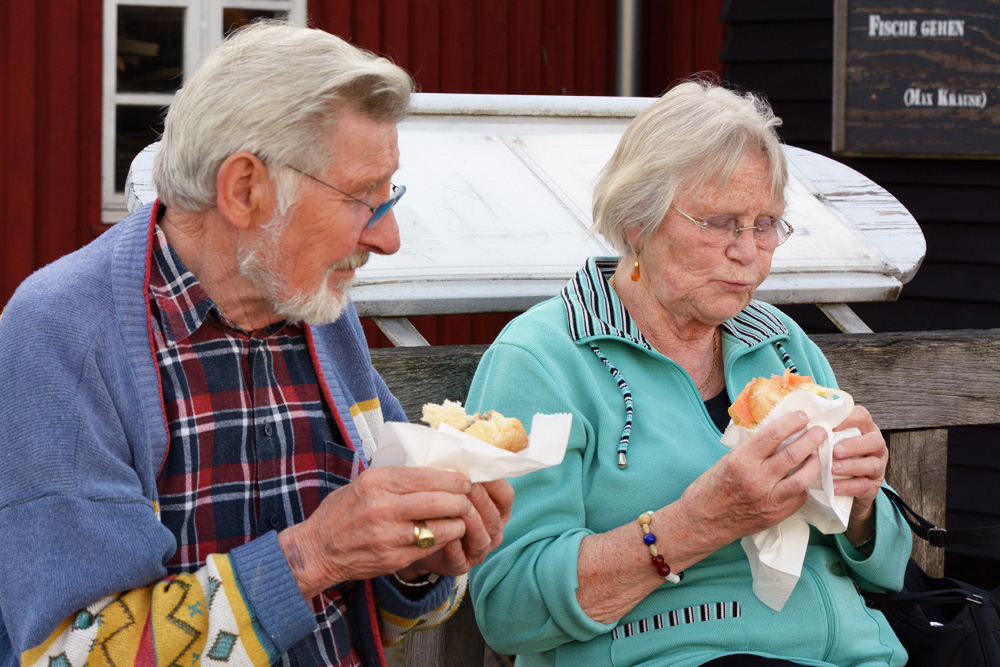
[498, 204]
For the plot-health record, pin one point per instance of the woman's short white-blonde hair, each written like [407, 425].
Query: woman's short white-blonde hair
[697, 133]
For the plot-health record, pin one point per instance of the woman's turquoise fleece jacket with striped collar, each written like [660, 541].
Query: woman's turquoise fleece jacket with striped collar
[525, 592]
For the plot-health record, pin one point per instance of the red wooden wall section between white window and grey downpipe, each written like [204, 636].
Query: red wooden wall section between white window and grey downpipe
[553, 47]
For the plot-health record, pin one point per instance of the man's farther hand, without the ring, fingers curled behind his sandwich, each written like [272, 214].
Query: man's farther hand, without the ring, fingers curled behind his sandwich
[484, 525]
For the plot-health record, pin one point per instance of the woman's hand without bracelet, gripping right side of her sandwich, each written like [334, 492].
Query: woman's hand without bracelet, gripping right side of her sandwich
[862, 461]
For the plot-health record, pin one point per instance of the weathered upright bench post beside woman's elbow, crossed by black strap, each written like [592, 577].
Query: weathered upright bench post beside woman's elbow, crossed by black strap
[918, 466]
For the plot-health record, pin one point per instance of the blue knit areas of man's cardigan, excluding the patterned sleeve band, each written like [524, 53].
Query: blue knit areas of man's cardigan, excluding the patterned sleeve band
[83, 436]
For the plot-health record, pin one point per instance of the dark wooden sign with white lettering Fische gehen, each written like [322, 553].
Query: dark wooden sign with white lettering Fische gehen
[917, 79]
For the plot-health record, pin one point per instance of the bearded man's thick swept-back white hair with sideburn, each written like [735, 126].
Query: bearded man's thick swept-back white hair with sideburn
[272, 89]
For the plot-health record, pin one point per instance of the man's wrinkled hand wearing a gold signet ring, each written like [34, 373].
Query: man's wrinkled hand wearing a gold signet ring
[365, 529]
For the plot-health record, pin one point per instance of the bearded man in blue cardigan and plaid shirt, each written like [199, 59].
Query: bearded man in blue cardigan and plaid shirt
[189, 406]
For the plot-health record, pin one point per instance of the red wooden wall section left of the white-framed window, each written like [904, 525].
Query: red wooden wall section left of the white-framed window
[50, 132]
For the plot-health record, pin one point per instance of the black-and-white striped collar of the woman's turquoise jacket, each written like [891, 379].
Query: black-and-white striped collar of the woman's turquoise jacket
[593, 310]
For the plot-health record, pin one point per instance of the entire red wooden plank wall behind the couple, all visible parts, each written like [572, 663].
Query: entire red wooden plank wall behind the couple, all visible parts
[50, 78]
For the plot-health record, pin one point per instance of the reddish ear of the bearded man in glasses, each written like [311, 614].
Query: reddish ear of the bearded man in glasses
[244, 193]
